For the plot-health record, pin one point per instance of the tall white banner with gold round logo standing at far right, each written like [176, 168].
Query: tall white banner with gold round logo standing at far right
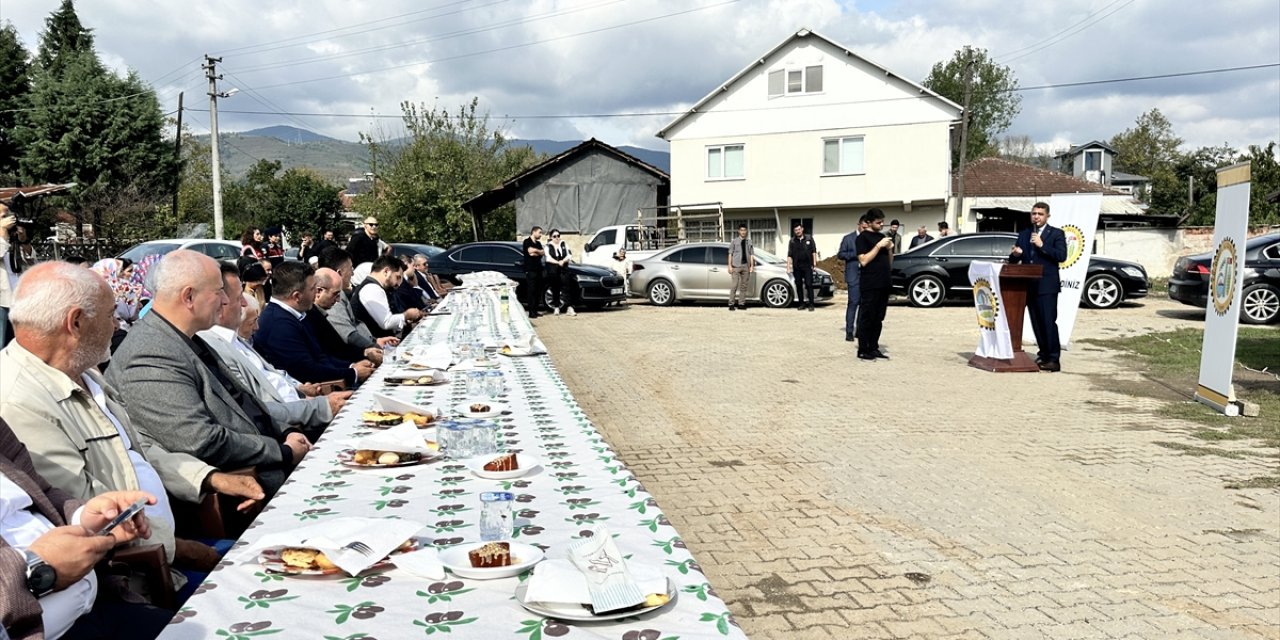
[1226, 281]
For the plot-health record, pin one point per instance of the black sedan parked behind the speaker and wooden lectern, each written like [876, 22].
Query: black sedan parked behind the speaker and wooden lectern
[931, 273]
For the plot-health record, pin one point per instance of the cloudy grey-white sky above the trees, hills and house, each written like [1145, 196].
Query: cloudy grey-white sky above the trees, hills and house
[541, 66]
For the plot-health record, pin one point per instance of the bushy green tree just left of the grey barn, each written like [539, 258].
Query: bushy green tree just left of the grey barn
[447, 161]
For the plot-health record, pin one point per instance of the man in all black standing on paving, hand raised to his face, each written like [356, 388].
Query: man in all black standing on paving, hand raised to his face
[876, 257]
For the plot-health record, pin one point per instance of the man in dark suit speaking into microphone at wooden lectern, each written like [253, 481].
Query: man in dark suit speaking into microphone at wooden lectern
[1046, 246]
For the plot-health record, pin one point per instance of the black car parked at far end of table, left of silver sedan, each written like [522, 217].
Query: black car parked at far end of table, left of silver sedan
[597, 285]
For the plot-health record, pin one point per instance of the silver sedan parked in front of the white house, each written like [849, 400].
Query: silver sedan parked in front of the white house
[700, 272]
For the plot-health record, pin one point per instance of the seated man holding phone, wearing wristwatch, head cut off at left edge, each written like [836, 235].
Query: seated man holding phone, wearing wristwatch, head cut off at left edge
[48, 554]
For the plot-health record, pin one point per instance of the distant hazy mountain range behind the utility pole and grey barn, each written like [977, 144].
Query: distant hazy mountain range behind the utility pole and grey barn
[339, 161]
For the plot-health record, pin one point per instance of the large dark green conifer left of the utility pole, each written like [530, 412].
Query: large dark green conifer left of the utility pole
[93, 127]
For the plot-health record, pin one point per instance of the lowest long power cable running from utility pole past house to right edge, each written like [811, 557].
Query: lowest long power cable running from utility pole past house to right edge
[647, 115]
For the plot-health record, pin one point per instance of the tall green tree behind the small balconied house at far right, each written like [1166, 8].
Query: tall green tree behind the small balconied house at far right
[1150, 148]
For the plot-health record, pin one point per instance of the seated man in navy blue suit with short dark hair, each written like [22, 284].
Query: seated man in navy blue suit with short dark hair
[285, 339]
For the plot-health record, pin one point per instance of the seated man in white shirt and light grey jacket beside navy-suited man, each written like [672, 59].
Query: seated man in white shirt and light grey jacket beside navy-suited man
[285, 405]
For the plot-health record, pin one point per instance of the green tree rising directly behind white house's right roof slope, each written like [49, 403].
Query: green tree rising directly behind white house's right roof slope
[994, 100]
